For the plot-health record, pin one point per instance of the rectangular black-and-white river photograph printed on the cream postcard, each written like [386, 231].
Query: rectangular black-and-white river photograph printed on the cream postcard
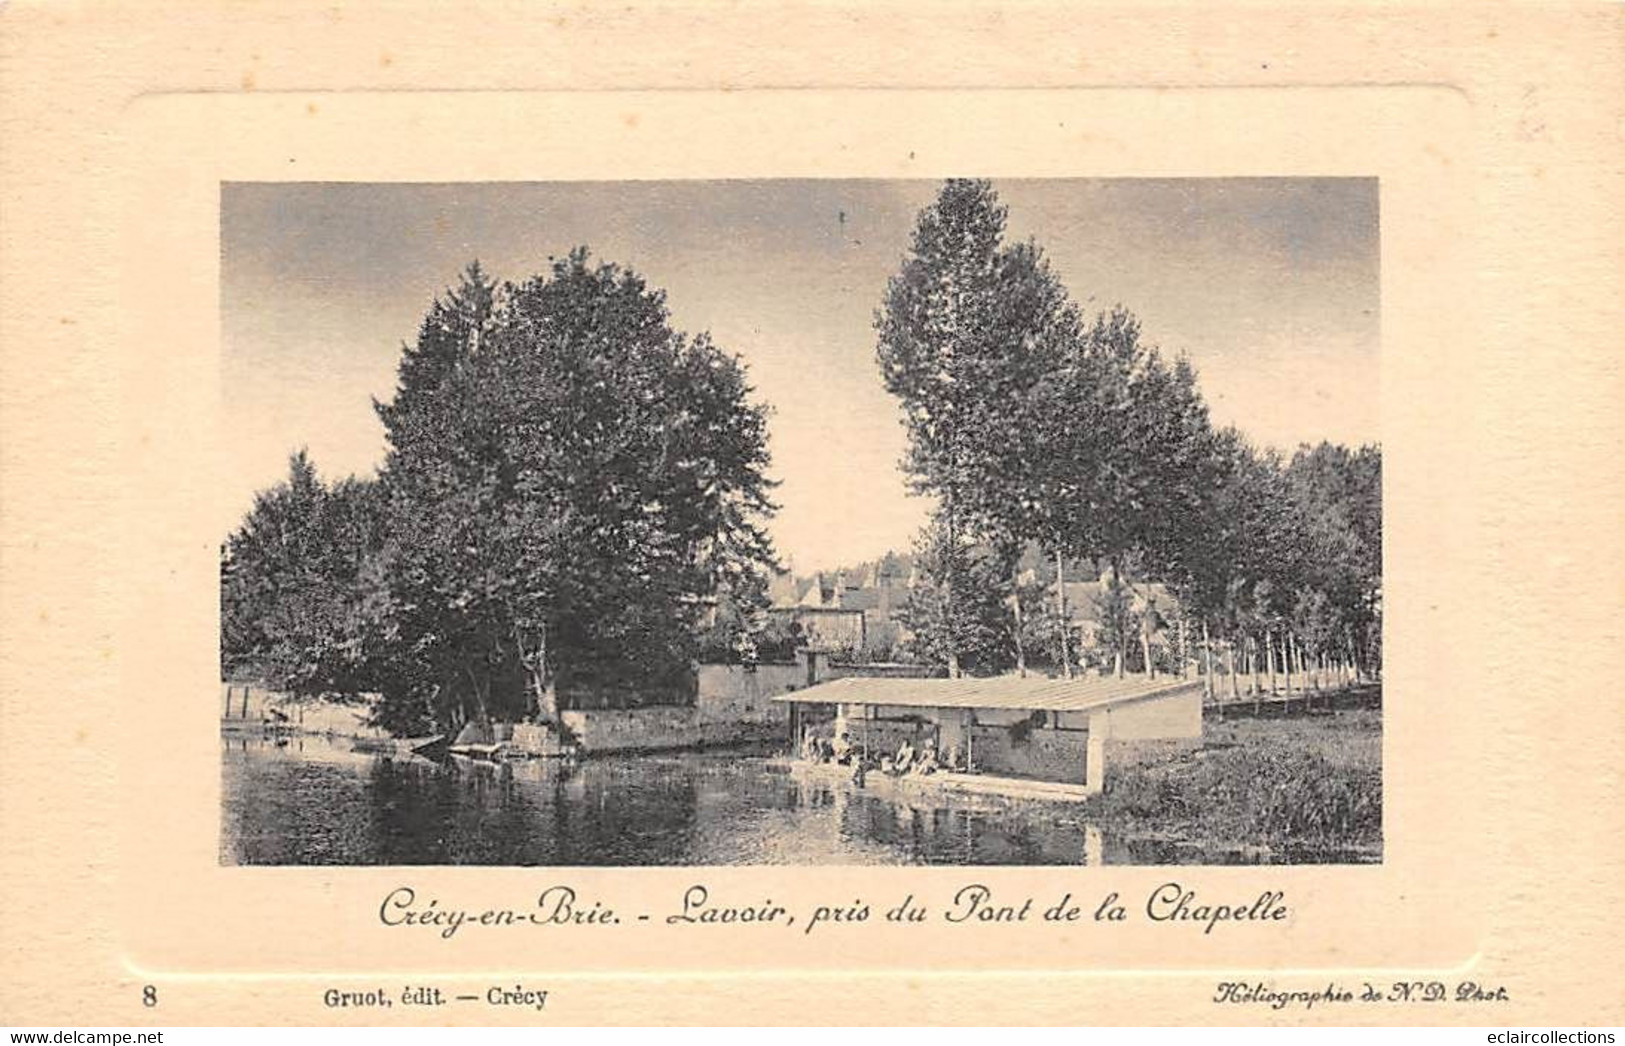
[802, 522]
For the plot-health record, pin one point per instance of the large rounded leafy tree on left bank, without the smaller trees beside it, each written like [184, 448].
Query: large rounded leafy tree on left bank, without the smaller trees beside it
[570, 480]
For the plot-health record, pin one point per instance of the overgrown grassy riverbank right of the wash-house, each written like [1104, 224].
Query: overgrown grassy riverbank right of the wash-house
[1294, 790]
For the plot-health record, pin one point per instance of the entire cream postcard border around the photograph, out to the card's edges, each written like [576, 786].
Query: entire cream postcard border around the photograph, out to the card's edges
[1501, 378]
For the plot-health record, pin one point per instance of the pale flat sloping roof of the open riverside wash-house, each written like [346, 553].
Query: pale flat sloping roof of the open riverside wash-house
[1033, 693]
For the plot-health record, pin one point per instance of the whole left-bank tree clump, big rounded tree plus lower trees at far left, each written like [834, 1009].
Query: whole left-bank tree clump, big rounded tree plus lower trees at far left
[570, 485]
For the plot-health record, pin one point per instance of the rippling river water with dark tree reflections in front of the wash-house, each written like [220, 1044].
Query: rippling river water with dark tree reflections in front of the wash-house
[314, 802]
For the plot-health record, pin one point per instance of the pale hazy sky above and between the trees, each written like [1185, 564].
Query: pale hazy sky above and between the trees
[1270, 287]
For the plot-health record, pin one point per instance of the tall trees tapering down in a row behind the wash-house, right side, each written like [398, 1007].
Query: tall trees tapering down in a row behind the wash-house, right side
[1039, 428]
